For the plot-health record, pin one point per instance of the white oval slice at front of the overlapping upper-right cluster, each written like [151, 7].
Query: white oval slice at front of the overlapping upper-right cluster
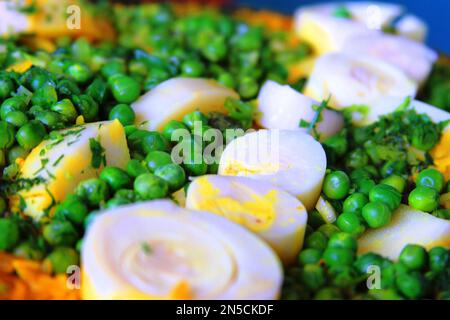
[351, 79]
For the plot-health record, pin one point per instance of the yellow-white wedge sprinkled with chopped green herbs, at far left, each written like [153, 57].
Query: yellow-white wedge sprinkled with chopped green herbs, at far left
[59, 163]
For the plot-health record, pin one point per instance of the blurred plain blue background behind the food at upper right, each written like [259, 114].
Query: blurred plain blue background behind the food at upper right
[436, 14]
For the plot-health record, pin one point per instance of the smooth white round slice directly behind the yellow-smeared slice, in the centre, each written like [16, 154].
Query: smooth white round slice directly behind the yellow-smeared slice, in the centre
[289, 159]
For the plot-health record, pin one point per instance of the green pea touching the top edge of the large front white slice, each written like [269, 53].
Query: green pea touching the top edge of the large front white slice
[149, 187]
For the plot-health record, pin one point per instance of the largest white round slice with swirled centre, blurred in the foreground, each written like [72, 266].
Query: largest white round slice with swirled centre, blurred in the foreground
[156, 250]
